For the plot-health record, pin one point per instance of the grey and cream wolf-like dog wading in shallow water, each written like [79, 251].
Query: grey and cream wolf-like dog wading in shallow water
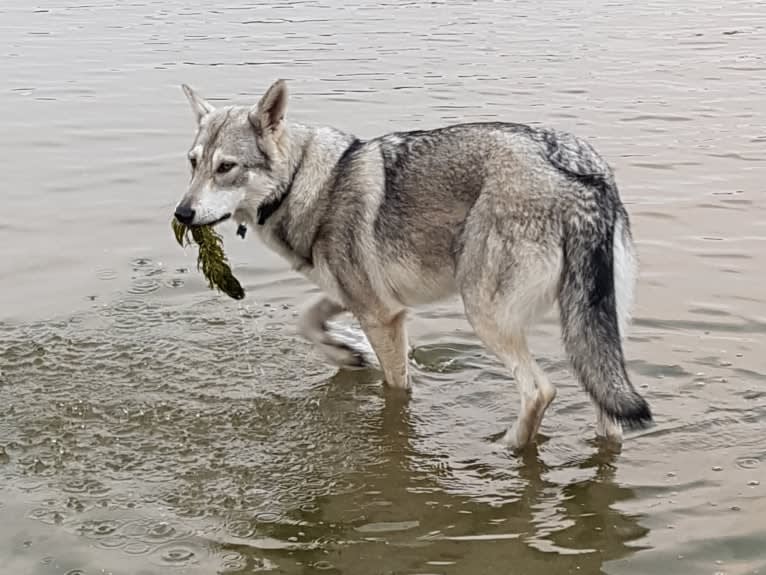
[515, 219]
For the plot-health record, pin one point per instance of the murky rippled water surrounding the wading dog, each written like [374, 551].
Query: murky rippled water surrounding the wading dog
[148, 425]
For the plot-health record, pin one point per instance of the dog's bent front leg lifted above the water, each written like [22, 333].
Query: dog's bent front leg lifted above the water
[313, 326]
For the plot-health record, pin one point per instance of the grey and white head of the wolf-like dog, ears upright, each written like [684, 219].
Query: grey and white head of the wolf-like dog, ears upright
[238, 154]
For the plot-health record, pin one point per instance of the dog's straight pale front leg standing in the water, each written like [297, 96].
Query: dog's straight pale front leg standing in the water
[389, 340]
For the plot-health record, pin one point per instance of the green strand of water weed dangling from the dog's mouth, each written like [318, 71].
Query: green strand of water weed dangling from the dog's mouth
[210, 257]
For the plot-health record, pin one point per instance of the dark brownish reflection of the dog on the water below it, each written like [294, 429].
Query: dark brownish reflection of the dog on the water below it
[417, 509]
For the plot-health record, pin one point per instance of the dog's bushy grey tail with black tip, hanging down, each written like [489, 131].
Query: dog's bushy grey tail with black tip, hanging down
[594, 298]
